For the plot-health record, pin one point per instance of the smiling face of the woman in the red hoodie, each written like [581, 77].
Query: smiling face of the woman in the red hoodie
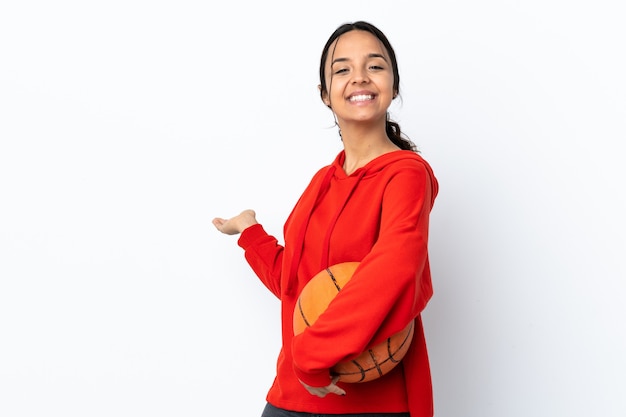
[359, 78]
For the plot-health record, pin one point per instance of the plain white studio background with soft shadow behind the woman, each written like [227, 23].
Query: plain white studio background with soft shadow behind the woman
[126, 126]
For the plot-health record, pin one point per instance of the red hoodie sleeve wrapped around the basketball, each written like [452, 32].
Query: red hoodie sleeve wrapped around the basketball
[391, 286]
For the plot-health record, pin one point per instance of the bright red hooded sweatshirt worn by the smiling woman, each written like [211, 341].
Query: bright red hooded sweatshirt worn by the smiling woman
[377, 216]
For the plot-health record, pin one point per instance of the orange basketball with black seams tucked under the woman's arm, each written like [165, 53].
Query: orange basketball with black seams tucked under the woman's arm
[369, 365]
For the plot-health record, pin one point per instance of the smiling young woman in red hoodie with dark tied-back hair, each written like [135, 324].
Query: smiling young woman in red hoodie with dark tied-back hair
[370, 205]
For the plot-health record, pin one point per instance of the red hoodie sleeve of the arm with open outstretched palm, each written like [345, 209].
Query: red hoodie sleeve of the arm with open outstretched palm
[264, 255]
